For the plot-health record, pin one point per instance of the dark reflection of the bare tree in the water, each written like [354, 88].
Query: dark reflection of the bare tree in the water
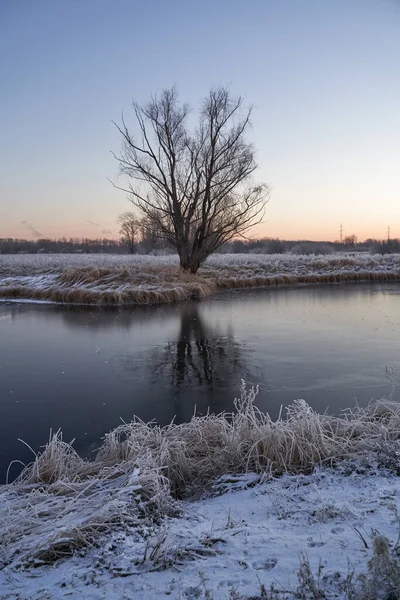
[199, 364]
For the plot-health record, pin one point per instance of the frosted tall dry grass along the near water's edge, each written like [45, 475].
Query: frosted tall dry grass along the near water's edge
[62, 502]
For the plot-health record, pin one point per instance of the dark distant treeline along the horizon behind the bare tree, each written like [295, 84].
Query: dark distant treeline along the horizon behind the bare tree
[260, 246]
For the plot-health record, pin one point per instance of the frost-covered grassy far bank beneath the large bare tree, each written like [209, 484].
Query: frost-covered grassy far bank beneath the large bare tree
[120, 279]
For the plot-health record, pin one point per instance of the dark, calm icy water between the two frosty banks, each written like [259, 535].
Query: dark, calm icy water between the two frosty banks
[83, 369]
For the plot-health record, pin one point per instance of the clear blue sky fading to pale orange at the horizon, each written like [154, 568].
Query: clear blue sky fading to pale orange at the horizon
[323, 76]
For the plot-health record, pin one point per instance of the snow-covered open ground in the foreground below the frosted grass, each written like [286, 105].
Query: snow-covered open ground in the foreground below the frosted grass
[249, 532]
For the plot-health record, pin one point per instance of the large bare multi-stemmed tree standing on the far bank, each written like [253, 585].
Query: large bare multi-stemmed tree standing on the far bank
[193, 184]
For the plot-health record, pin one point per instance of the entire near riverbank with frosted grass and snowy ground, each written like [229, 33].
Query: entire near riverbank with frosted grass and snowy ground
[224, 506]
